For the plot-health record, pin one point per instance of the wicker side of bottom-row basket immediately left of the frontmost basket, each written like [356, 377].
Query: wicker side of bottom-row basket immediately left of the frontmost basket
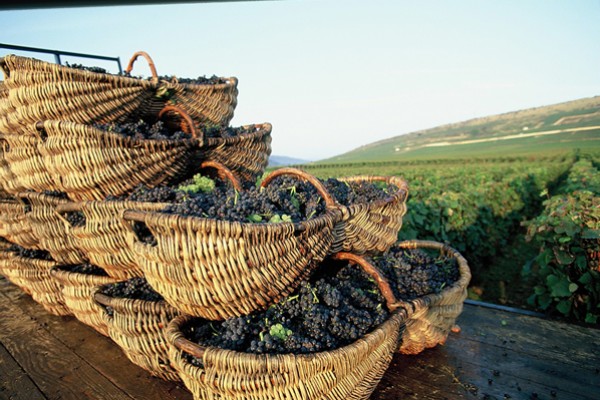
[138, 327]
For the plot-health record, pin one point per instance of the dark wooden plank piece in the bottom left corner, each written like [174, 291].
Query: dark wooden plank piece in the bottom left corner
[14, 382]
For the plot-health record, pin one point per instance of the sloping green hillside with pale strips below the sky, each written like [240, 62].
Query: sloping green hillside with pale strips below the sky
[555, 127]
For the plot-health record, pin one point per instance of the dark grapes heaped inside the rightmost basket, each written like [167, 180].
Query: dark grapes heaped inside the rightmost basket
[414, 273]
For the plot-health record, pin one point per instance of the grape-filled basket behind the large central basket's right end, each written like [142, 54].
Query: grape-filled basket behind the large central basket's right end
[373, 208]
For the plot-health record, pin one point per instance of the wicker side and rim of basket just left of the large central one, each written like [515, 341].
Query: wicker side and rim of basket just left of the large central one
[107, 239]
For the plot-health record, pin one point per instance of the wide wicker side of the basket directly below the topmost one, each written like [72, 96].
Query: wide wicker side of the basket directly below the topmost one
[90, 164]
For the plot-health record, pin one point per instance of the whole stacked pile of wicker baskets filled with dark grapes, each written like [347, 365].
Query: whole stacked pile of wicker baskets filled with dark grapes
[131, 205]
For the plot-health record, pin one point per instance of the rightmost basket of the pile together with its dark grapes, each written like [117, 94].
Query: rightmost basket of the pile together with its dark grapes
[429, 279]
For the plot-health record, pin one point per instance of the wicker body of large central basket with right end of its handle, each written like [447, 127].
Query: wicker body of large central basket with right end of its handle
[218, 269]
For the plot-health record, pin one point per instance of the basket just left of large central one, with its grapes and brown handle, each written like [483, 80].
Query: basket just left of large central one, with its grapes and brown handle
[107, 239]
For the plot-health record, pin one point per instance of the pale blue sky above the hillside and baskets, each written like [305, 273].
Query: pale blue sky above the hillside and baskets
[332, 75]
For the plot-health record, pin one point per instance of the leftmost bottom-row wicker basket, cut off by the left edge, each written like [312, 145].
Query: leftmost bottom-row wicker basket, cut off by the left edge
[33, 277]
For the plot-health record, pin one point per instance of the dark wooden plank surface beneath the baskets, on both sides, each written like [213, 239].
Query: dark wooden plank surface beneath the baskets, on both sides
[499, 354]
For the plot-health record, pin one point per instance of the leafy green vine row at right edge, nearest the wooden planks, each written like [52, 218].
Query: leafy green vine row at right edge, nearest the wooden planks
[568, 232]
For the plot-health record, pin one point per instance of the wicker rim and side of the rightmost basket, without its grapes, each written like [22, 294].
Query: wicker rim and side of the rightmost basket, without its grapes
[432, 317]
